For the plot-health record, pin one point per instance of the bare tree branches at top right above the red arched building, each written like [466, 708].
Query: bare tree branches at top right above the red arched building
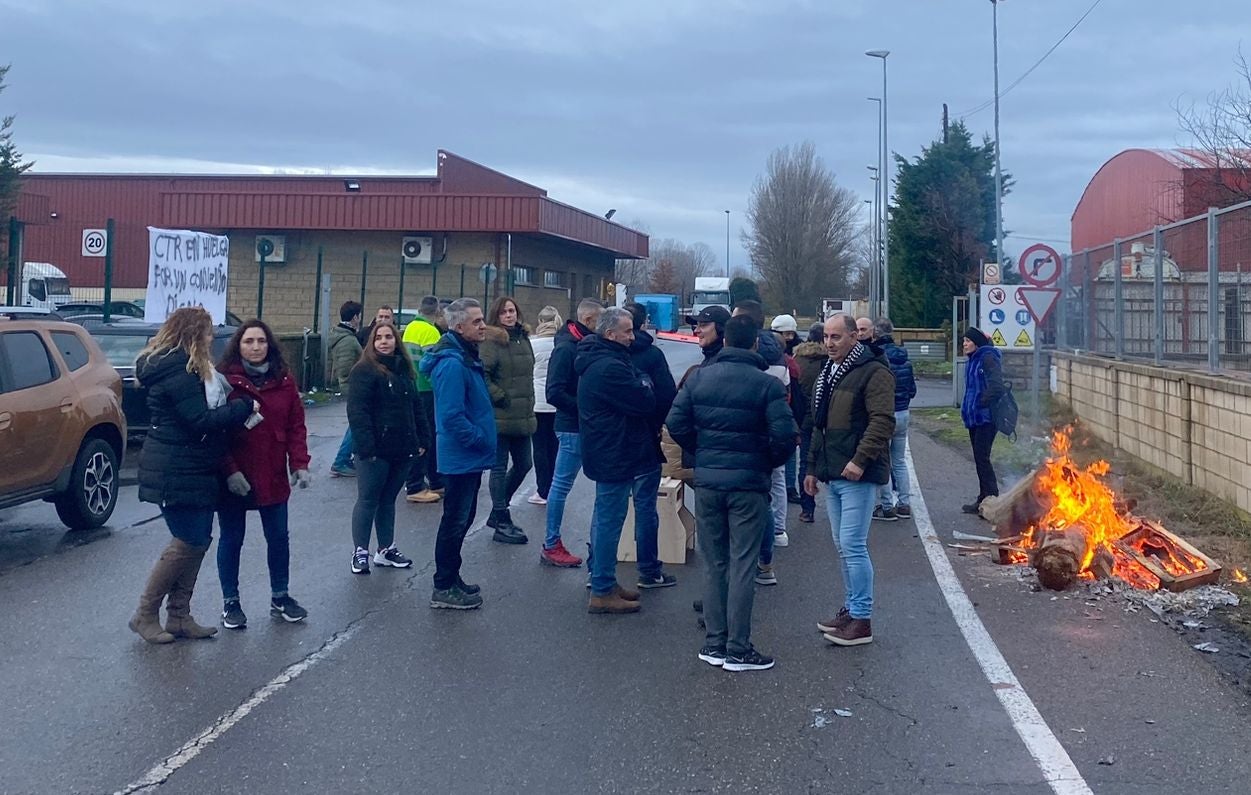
[1222, 131]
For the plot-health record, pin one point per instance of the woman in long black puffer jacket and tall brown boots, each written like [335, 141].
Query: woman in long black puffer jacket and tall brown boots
[181, 466]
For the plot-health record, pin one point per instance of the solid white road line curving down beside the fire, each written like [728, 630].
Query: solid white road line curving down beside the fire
[1058, 768]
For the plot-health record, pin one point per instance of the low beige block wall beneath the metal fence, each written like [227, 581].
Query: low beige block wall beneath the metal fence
[1194, 426]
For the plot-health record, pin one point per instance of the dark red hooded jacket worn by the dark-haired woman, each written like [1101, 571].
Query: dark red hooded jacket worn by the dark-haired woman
[278, 446]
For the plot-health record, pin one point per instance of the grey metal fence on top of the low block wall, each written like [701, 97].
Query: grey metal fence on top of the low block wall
[1177, 295]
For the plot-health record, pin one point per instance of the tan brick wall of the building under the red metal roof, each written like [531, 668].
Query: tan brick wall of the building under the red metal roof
[291, 287]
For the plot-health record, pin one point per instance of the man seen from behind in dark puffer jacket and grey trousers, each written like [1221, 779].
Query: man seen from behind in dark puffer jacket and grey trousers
[736, 420]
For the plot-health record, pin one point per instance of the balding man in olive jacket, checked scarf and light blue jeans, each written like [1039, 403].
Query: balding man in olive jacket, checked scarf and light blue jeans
[854, 421]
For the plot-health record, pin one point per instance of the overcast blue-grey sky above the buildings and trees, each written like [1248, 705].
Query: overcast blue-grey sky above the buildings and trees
[662, 110]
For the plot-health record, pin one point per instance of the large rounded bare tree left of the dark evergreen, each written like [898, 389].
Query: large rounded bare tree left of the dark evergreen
[803, 230]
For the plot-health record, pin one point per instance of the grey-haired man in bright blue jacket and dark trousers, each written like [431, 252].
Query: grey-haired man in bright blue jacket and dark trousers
[465, 426]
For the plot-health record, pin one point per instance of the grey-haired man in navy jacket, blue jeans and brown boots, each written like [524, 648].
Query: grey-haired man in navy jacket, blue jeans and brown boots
[616, 410]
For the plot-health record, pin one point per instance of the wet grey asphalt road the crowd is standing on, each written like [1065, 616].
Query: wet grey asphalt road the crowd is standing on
[376, 693]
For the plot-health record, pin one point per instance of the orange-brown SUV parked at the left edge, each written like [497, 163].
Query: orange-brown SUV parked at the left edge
[62, 429]
